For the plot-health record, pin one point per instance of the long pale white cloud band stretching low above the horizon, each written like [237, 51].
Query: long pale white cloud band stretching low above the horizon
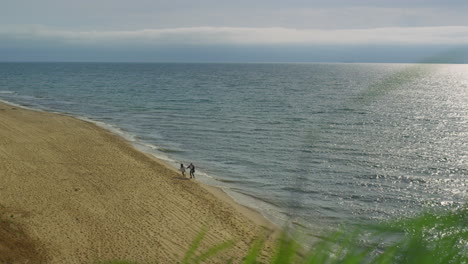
[449, 35]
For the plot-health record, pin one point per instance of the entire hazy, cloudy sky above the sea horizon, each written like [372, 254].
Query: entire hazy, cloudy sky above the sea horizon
[234, 31]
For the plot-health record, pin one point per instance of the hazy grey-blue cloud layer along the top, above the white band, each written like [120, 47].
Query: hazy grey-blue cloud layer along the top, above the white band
[319, 14]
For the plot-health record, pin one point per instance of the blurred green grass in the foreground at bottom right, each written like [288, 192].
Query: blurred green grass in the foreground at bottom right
[430, 238]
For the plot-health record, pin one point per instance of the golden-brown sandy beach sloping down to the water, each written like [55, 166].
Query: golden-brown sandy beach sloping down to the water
[81, 194]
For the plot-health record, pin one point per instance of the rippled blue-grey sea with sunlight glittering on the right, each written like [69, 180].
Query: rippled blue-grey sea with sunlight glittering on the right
[312, 145]
